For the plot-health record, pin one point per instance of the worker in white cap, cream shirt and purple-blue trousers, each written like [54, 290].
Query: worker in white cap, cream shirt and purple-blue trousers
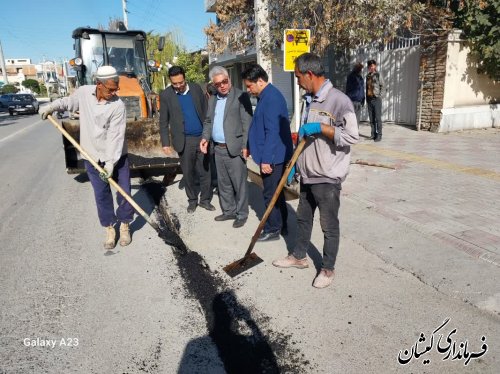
[102, 135]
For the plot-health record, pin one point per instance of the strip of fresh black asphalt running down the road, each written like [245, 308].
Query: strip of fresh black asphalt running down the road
[244, 339]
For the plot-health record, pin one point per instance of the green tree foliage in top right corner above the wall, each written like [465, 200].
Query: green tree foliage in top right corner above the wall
[479, 22]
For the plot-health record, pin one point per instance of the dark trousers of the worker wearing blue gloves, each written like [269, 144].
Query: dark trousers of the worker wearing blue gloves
[325, 197]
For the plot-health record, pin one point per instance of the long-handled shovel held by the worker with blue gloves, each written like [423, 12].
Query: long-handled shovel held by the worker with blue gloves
[250, 259]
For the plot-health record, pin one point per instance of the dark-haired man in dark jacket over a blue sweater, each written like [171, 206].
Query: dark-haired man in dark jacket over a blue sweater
[183, 108]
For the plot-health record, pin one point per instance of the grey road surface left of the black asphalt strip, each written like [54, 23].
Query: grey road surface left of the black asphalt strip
[108, 312]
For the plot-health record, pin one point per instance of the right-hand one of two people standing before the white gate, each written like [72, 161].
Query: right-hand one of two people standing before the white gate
[374, 90]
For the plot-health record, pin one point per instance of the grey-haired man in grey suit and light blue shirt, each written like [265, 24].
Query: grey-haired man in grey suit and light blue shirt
[227, 122]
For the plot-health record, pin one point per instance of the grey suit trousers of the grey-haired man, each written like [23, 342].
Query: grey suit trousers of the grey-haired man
[232, 176]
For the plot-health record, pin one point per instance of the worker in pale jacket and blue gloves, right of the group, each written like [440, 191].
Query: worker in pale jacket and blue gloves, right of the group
[330, 127]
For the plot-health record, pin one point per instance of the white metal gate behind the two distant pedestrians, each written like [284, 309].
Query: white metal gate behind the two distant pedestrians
[398, 62]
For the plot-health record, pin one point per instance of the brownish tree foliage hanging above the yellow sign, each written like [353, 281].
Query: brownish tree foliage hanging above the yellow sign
[345, 24]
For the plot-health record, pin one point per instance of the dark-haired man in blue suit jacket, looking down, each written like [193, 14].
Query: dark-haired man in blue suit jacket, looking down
[270, 144]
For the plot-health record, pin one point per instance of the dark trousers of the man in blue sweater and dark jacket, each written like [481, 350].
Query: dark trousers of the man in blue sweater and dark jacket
[196, 170]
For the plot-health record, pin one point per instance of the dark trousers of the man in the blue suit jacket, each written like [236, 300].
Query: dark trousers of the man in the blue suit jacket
[278, 217]
